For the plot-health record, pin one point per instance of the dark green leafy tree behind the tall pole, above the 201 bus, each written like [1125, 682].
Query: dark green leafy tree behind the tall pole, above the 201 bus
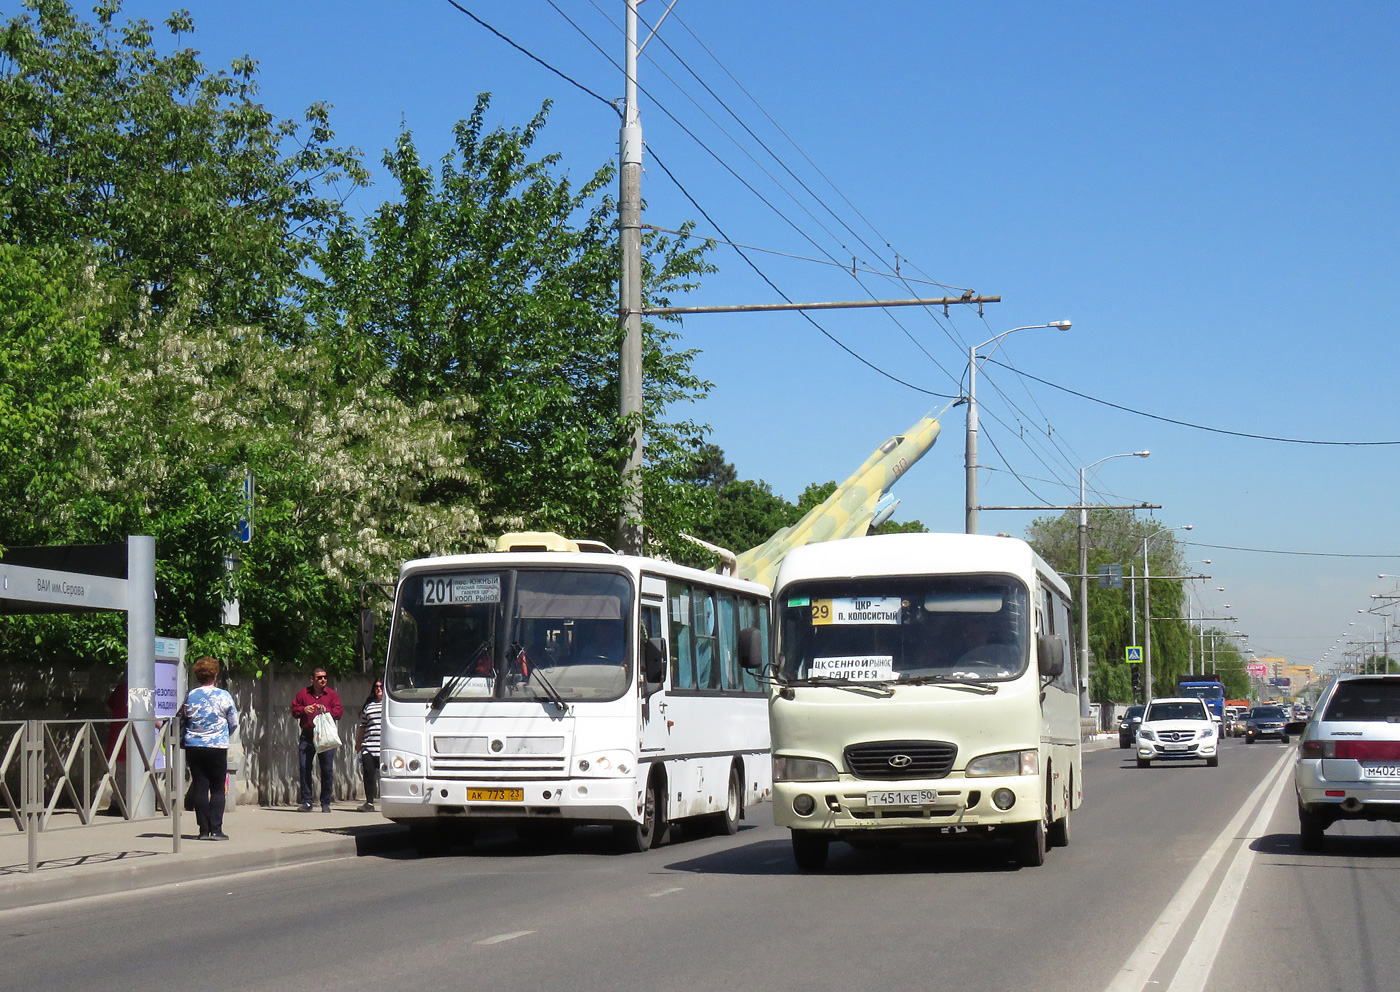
[496, 279]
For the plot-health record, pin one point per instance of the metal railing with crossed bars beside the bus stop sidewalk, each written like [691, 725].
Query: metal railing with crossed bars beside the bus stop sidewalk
[68, 767]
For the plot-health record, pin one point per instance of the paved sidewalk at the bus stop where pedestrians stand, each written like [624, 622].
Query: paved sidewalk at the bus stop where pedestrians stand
[115, 856]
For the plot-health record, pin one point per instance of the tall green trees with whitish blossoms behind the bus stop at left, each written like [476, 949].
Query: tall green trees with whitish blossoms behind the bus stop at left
[155, 225]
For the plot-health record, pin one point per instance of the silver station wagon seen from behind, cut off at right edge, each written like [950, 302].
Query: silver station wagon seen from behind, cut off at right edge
[1349, 763]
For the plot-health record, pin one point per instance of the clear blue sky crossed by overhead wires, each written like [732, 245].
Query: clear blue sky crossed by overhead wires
[1206, 190]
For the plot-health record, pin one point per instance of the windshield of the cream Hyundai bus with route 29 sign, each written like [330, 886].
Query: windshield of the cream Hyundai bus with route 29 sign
[891, 629]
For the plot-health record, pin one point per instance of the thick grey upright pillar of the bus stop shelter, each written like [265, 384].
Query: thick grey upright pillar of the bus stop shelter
[141, 668]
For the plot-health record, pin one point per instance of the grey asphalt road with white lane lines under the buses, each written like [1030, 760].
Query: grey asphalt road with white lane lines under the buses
[1157, 891]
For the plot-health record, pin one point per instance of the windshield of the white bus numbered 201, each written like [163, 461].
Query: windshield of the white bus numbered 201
[512, 635]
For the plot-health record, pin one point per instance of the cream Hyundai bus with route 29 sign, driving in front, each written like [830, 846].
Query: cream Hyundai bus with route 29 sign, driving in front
[923, 692]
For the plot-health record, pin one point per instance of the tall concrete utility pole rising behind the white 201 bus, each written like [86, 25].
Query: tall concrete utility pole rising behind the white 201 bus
[629, 222]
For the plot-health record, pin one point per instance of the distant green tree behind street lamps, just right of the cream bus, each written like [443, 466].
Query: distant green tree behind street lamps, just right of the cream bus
[1116, 538]
